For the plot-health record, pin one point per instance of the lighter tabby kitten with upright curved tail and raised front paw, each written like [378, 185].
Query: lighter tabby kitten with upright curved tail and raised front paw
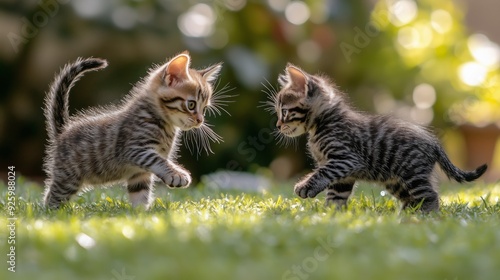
[131, 142]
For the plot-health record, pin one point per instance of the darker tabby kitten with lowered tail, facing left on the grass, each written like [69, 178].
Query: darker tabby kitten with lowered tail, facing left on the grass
[348, 145]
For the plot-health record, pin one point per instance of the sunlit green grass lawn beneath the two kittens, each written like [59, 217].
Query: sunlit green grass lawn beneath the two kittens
[198, 233]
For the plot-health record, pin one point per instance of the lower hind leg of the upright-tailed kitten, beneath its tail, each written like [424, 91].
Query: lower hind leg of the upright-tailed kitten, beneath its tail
[60, 191]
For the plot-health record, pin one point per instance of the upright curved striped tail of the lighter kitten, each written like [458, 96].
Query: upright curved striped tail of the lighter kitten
[56, 102]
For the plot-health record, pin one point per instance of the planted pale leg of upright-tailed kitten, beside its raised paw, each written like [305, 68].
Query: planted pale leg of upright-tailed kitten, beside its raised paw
[140, 190]
